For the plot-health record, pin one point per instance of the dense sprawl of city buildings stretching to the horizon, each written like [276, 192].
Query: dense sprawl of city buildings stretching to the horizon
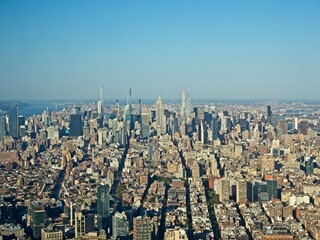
[162, 170]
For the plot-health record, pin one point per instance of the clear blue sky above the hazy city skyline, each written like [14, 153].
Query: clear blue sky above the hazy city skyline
[218, 49]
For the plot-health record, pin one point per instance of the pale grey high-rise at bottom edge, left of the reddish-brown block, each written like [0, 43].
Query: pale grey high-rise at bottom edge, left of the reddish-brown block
[120, 225]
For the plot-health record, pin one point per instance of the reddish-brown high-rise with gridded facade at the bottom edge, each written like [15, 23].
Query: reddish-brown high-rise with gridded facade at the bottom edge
[142, 228]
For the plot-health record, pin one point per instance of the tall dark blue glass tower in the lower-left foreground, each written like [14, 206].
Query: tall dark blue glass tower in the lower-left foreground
[103, 204]
